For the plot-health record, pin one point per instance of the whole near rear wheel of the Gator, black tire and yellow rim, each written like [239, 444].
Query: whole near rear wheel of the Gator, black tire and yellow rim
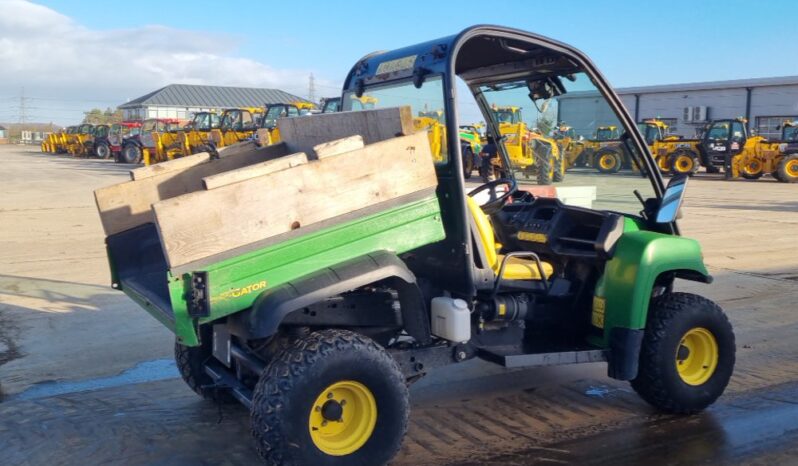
[338, 396]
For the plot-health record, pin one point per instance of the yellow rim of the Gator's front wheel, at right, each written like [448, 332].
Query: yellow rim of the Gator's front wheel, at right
[697, 356]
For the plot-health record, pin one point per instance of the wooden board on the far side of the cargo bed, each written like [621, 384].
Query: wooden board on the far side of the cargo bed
[129, 204]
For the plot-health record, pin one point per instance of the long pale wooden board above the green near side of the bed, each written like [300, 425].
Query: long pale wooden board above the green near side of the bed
[241, 214]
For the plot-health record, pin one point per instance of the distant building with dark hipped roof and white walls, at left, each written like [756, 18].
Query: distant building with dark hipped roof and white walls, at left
[181, 101]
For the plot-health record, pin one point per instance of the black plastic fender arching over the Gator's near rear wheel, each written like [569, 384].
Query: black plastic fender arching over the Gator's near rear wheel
[270, 308]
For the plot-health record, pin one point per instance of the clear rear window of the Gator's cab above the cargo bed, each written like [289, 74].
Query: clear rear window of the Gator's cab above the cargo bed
[426, 104]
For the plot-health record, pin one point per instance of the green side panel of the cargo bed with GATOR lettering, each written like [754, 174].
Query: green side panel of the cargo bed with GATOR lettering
[236, 282]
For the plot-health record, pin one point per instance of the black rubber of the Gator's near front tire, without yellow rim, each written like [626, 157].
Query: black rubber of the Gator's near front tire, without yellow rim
[652, 381]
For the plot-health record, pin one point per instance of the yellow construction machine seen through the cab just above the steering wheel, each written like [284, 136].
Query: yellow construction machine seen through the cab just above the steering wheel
[534, 154]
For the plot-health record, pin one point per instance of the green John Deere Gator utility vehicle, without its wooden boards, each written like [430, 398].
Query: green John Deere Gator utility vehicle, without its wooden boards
[319, 333]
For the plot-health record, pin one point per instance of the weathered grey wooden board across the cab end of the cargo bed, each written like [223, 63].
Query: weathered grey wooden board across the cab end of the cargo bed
[303, 134]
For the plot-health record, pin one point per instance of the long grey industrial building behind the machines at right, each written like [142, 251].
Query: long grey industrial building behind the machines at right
[686, 108]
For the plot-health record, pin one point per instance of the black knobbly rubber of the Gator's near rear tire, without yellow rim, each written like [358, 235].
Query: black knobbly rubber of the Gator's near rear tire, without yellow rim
[284, 376]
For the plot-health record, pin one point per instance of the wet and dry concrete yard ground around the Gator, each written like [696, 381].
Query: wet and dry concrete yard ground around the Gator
[86, 374]
